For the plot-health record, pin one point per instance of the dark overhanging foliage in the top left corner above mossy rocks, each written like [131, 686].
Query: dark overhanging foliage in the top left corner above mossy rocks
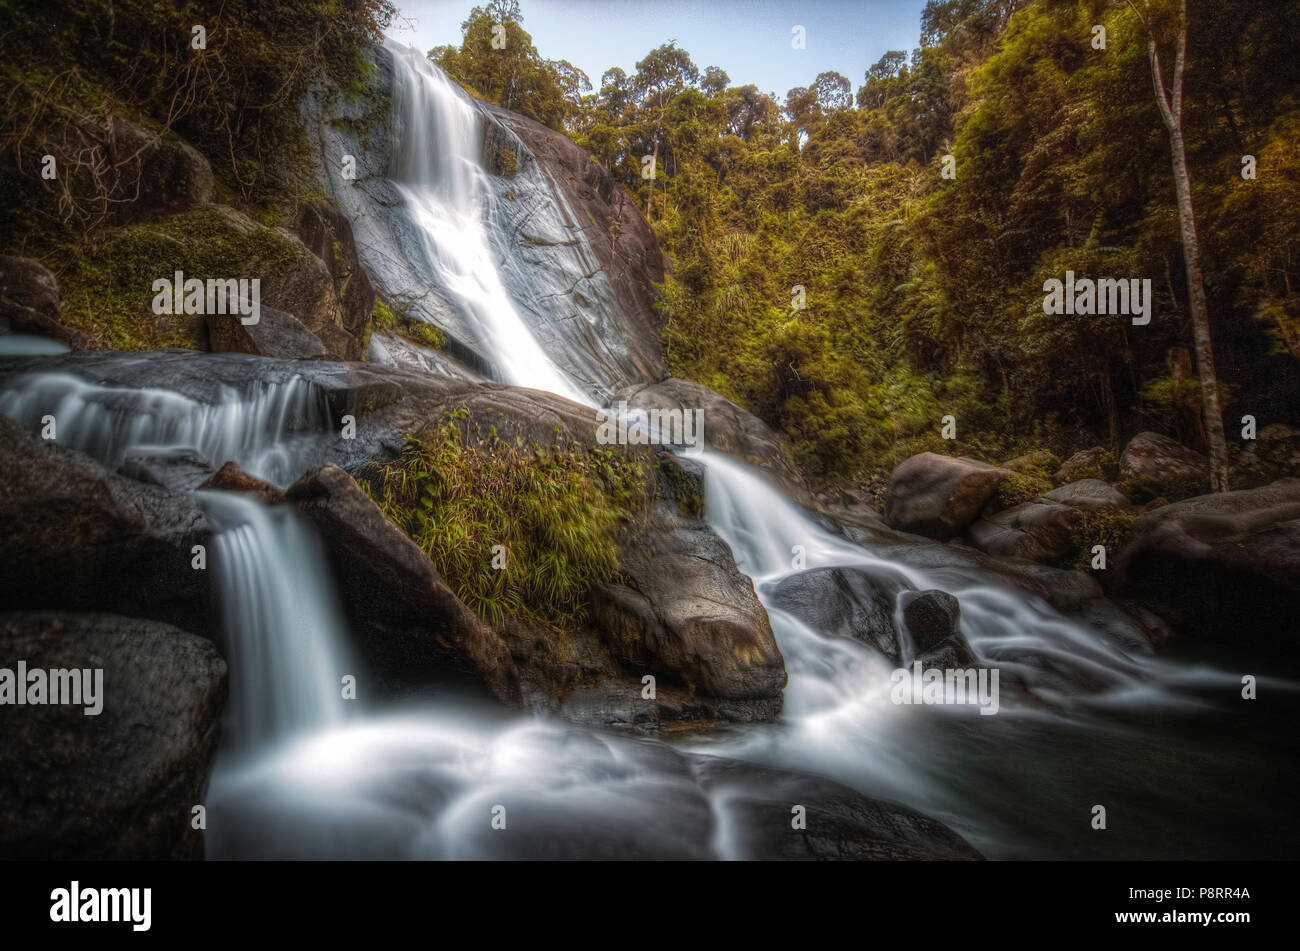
[77, 64]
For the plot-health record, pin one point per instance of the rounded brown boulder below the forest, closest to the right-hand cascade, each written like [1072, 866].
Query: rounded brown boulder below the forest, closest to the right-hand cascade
[938, 497]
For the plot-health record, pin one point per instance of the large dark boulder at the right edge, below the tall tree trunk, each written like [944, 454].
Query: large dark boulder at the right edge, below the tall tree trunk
[1223, 567]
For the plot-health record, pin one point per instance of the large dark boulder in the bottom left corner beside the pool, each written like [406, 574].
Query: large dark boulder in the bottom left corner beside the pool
[123, 784]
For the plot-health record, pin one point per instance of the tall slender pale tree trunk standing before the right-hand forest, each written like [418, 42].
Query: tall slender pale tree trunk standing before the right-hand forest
[1172, 112]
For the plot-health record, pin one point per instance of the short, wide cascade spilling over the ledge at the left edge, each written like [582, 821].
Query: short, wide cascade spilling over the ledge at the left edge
[266, 431]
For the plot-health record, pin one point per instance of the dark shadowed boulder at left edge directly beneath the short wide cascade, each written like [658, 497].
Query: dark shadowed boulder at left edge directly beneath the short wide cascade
[81, 539]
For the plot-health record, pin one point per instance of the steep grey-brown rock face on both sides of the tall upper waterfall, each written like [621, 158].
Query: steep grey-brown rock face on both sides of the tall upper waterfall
[574, 251]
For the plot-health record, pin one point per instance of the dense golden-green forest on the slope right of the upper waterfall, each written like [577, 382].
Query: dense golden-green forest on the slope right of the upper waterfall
[922, 294]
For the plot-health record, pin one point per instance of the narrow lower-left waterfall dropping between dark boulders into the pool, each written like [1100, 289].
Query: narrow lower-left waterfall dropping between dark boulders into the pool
[283, 628]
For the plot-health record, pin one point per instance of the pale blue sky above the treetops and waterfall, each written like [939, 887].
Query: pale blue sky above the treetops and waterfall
[751, 40]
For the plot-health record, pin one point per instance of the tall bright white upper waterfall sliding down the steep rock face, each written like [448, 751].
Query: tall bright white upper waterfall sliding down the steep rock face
[441, 177]
